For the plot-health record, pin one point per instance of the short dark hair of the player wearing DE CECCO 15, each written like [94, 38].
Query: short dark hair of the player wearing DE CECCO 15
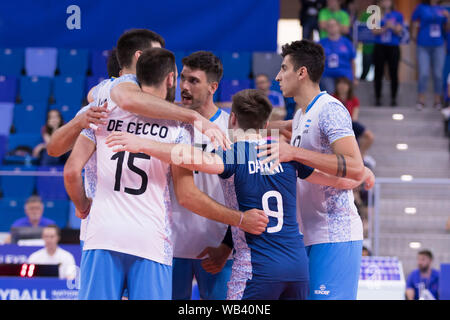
[154, 65]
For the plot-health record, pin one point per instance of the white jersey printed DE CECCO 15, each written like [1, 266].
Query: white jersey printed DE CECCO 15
[131, 210]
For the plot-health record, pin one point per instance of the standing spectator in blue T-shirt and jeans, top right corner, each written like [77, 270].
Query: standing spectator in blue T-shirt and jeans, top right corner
[429, 23]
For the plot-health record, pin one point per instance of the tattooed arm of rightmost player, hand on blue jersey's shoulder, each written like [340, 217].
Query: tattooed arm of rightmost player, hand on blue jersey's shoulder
[345, 161]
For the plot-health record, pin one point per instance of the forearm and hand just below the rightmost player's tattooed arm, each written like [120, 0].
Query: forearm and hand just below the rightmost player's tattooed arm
[325, 179]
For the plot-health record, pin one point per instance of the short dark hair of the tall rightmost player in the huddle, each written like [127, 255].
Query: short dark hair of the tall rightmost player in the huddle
[308, 54]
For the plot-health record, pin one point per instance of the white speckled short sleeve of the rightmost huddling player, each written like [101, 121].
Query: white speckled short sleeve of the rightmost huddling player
[335, 122]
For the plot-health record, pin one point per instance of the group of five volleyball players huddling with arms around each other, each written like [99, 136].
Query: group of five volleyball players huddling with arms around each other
[172, 192]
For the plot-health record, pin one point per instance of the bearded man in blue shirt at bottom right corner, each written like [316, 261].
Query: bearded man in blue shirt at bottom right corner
[423, 283]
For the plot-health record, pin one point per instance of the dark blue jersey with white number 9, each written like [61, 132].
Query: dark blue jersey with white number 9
[277, 254]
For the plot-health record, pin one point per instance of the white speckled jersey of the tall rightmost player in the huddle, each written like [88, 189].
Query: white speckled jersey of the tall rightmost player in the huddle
[325, 214]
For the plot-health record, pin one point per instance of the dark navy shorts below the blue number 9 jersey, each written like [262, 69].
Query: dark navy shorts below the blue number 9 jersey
[265, 290]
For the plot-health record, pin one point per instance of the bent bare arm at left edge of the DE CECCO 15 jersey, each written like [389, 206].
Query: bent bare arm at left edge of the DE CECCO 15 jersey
[73, 180]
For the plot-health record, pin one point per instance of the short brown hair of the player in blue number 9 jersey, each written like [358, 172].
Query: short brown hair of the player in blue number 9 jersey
[252, 109]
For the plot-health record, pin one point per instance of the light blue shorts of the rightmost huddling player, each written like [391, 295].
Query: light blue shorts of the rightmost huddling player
[334, 270]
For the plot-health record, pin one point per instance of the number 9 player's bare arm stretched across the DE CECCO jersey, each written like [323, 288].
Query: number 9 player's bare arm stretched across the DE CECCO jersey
[183, 155]
